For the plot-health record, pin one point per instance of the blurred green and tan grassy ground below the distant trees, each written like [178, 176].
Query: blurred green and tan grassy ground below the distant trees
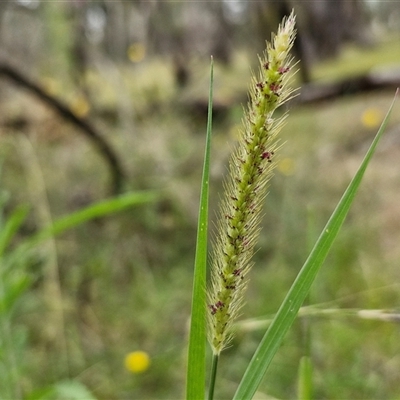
[123, 283]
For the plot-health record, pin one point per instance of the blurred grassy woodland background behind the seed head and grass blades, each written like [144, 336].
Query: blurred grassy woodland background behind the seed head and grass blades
[138, 72]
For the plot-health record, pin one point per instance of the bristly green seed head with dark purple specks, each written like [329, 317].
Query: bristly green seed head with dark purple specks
[251, 168]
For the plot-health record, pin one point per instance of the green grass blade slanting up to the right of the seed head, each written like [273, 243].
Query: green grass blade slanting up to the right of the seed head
[300, 288]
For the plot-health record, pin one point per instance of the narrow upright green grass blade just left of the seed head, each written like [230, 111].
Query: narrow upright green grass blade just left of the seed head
[196, 364]
